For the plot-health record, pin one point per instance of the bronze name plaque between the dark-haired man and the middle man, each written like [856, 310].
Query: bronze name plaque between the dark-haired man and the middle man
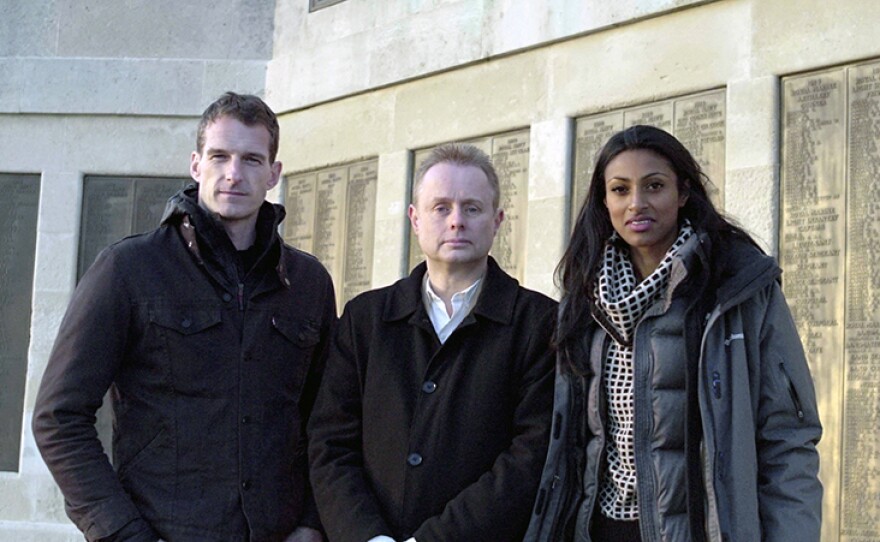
[331, 213]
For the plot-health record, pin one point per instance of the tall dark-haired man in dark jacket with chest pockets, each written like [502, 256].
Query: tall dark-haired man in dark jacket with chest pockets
[211, 335]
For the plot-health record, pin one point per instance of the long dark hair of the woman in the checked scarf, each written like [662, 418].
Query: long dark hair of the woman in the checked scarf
[576, 272]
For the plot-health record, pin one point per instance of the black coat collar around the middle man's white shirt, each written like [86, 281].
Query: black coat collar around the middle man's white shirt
[497, 299]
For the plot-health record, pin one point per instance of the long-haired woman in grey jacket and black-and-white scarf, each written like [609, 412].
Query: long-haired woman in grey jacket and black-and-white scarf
[684, 407]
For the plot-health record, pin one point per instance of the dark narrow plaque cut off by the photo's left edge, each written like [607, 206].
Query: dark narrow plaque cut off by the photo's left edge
[18, 237]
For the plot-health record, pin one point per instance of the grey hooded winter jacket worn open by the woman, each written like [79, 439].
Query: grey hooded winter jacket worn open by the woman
[731, 371]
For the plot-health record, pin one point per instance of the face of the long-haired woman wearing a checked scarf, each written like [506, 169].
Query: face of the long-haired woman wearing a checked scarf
[642, 197]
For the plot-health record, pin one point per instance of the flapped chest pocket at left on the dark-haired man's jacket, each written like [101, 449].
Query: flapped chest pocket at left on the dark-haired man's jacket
[194, 348]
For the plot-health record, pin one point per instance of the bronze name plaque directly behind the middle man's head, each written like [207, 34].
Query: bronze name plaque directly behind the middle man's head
[510, 156]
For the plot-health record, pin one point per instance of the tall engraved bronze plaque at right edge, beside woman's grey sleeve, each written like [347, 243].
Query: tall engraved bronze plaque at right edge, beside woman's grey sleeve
[830, 165]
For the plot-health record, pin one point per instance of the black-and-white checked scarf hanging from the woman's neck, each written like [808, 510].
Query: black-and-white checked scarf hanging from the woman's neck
[624, 303]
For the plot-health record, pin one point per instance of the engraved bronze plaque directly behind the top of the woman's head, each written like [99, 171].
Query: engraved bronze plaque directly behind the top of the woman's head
[697, 120]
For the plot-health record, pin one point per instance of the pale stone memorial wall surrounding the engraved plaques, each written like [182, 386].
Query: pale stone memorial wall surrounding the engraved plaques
[115, 88]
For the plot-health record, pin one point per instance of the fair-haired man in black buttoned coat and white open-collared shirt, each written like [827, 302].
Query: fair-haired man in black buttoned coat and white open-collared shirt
[431, 422]
